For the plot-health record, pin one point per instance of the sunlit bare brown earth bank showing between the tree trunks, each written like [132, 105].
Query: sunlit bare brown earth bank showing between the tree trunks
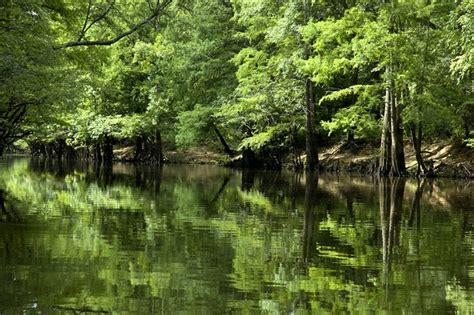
[446, 159]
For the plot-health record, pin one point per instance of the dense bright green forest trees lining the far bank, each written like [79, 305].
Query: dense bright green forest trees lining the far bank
[268, 80]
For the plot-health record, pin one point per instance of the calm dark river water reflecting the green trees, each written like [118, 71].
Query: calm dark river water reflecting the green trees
[204, 240]
